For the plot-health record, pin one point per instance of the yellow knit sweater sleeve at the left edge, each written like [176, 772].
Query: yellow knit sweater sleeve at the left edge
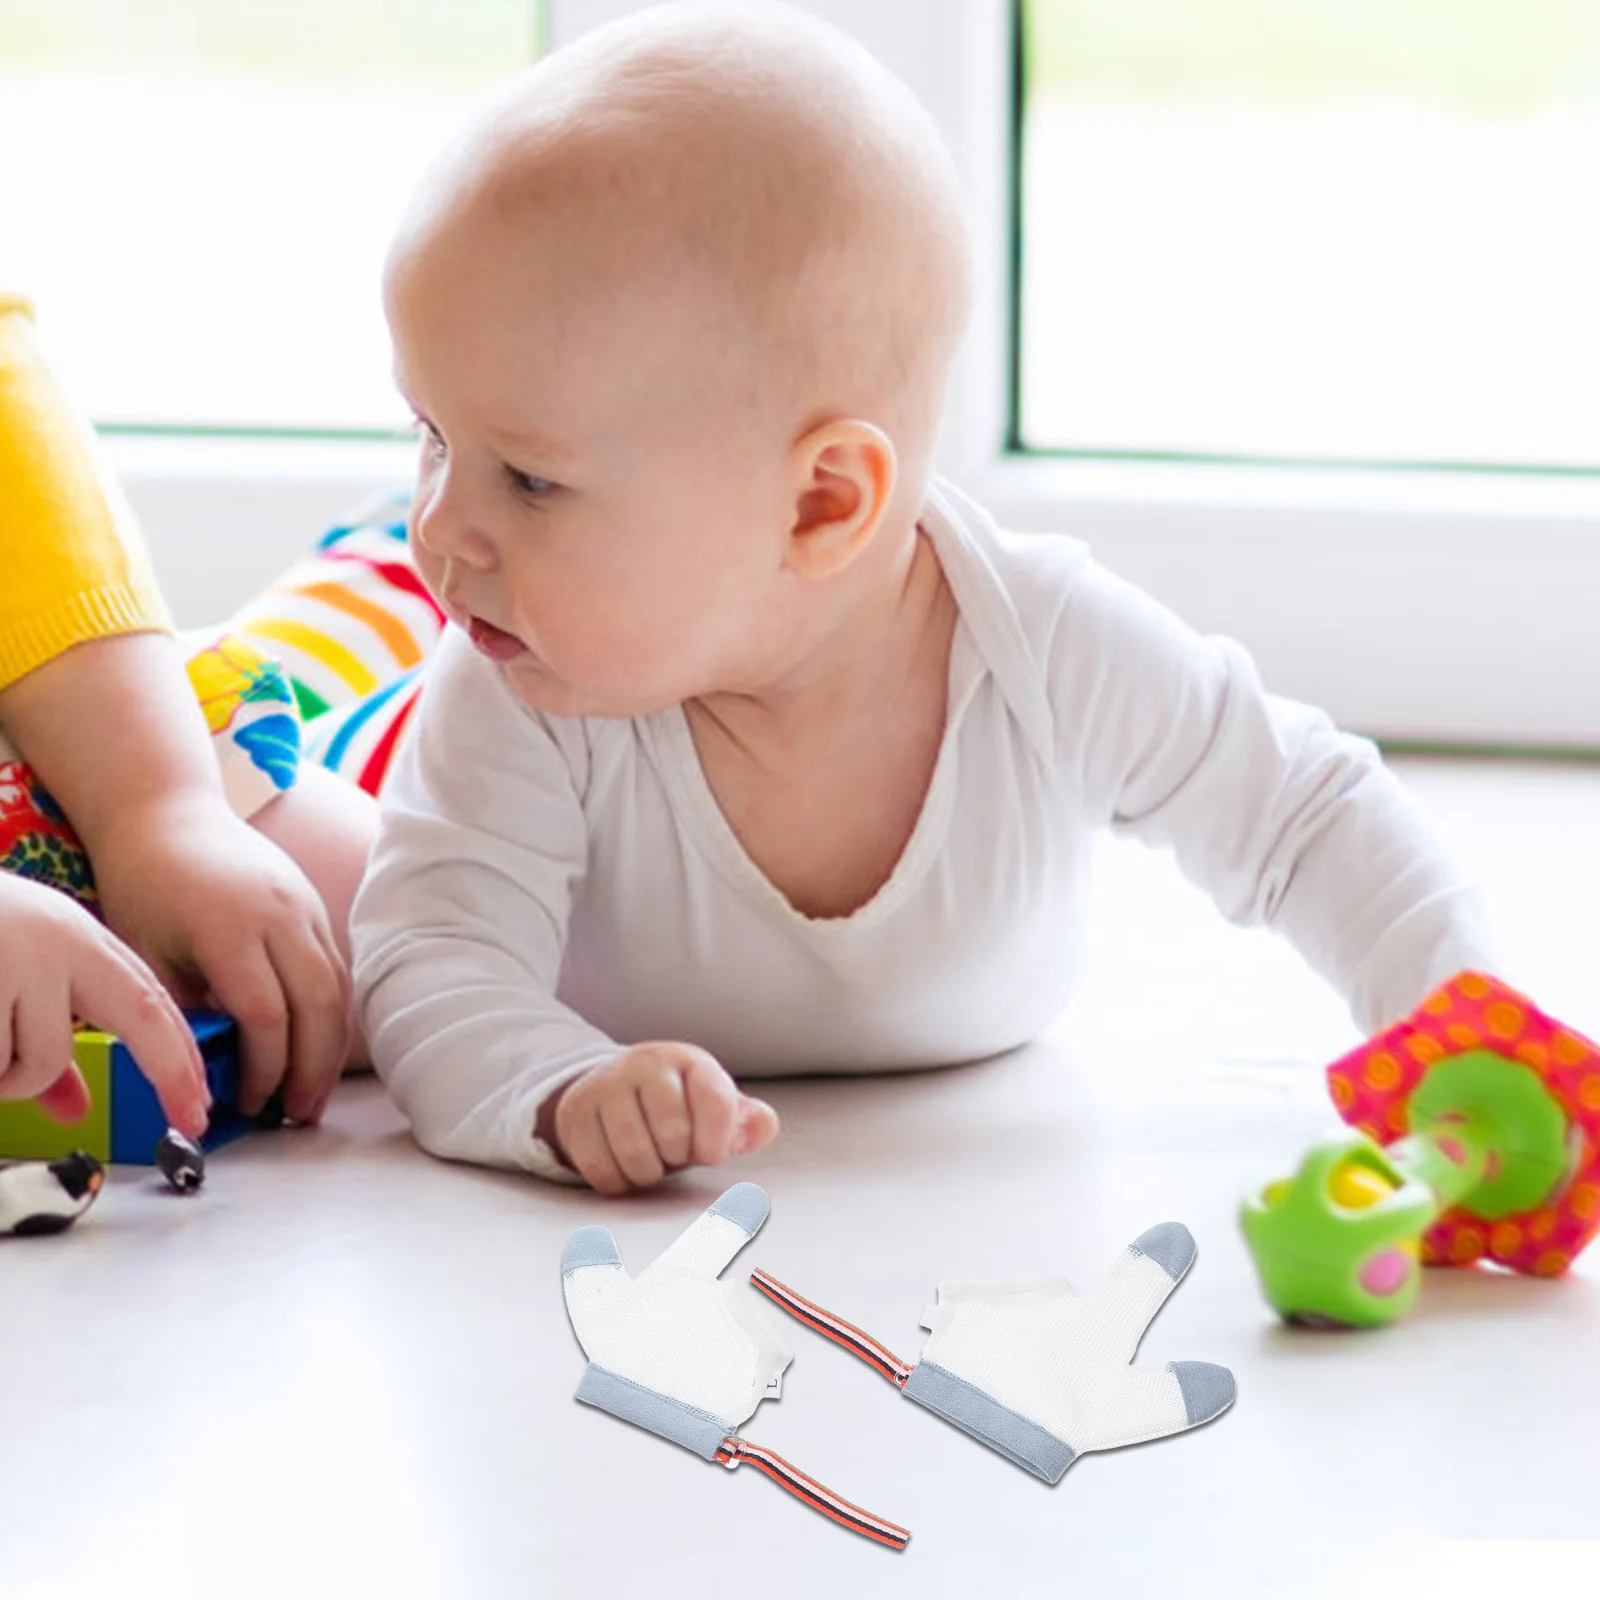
[73, 566]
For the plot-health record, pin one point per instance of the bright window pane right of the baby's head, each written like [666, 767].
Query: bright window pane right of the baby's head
[1348, 231]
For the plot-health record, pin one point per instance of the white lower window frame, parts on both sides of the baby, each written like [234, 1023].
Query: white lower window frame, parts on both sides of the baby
[1433, 607]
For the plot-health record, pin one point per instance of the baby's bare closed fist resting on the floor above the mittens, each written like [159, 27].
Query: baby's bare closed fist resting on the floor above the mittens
[660, 1106]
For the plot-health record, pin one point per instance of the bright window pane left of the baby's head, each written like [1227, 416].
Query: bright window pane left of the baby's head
[199, 193]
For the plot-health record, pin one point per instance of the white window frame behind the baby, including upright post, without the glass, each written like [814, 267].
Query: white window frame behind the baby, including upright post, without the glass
[1428, 607]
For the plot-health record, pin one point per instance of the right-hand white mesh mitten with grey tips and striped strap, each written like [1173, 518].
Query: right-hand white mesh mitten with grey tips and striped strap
[1039, 1372]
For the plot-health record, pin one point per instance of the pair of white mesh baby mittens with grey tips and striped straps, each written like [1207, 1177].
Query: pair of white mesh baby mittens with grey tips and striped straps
[1031, 1369]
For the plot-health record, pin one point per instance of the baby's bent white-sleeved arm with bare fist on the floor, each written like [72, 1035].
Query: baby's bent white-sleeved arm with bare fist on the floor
[460, 932]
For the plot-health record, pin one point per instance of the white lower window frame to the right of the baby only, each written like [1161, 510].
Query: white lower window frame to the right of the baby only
[1450, 609]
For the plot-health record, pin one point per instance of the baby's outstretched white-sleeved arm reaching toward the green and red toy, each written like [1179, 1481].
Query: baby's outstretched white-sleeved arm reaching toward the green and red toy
[1282, 818]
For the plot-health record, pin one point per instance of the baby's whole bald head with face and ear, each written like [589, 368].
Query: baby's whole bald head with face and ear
[676, 314]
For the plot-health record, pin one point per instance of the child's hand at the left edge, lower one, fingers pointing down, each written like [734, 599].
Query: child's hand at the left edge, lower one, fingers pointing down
[57, 964]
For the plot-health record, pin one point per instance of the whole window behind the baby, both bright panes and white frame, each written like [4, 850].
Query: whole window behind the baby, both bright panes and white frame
[1434, 606]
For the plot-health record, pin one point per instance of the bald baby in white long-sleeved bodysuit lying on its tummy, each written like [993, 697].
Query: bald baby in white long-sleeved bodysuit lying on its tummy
[758, 748]
